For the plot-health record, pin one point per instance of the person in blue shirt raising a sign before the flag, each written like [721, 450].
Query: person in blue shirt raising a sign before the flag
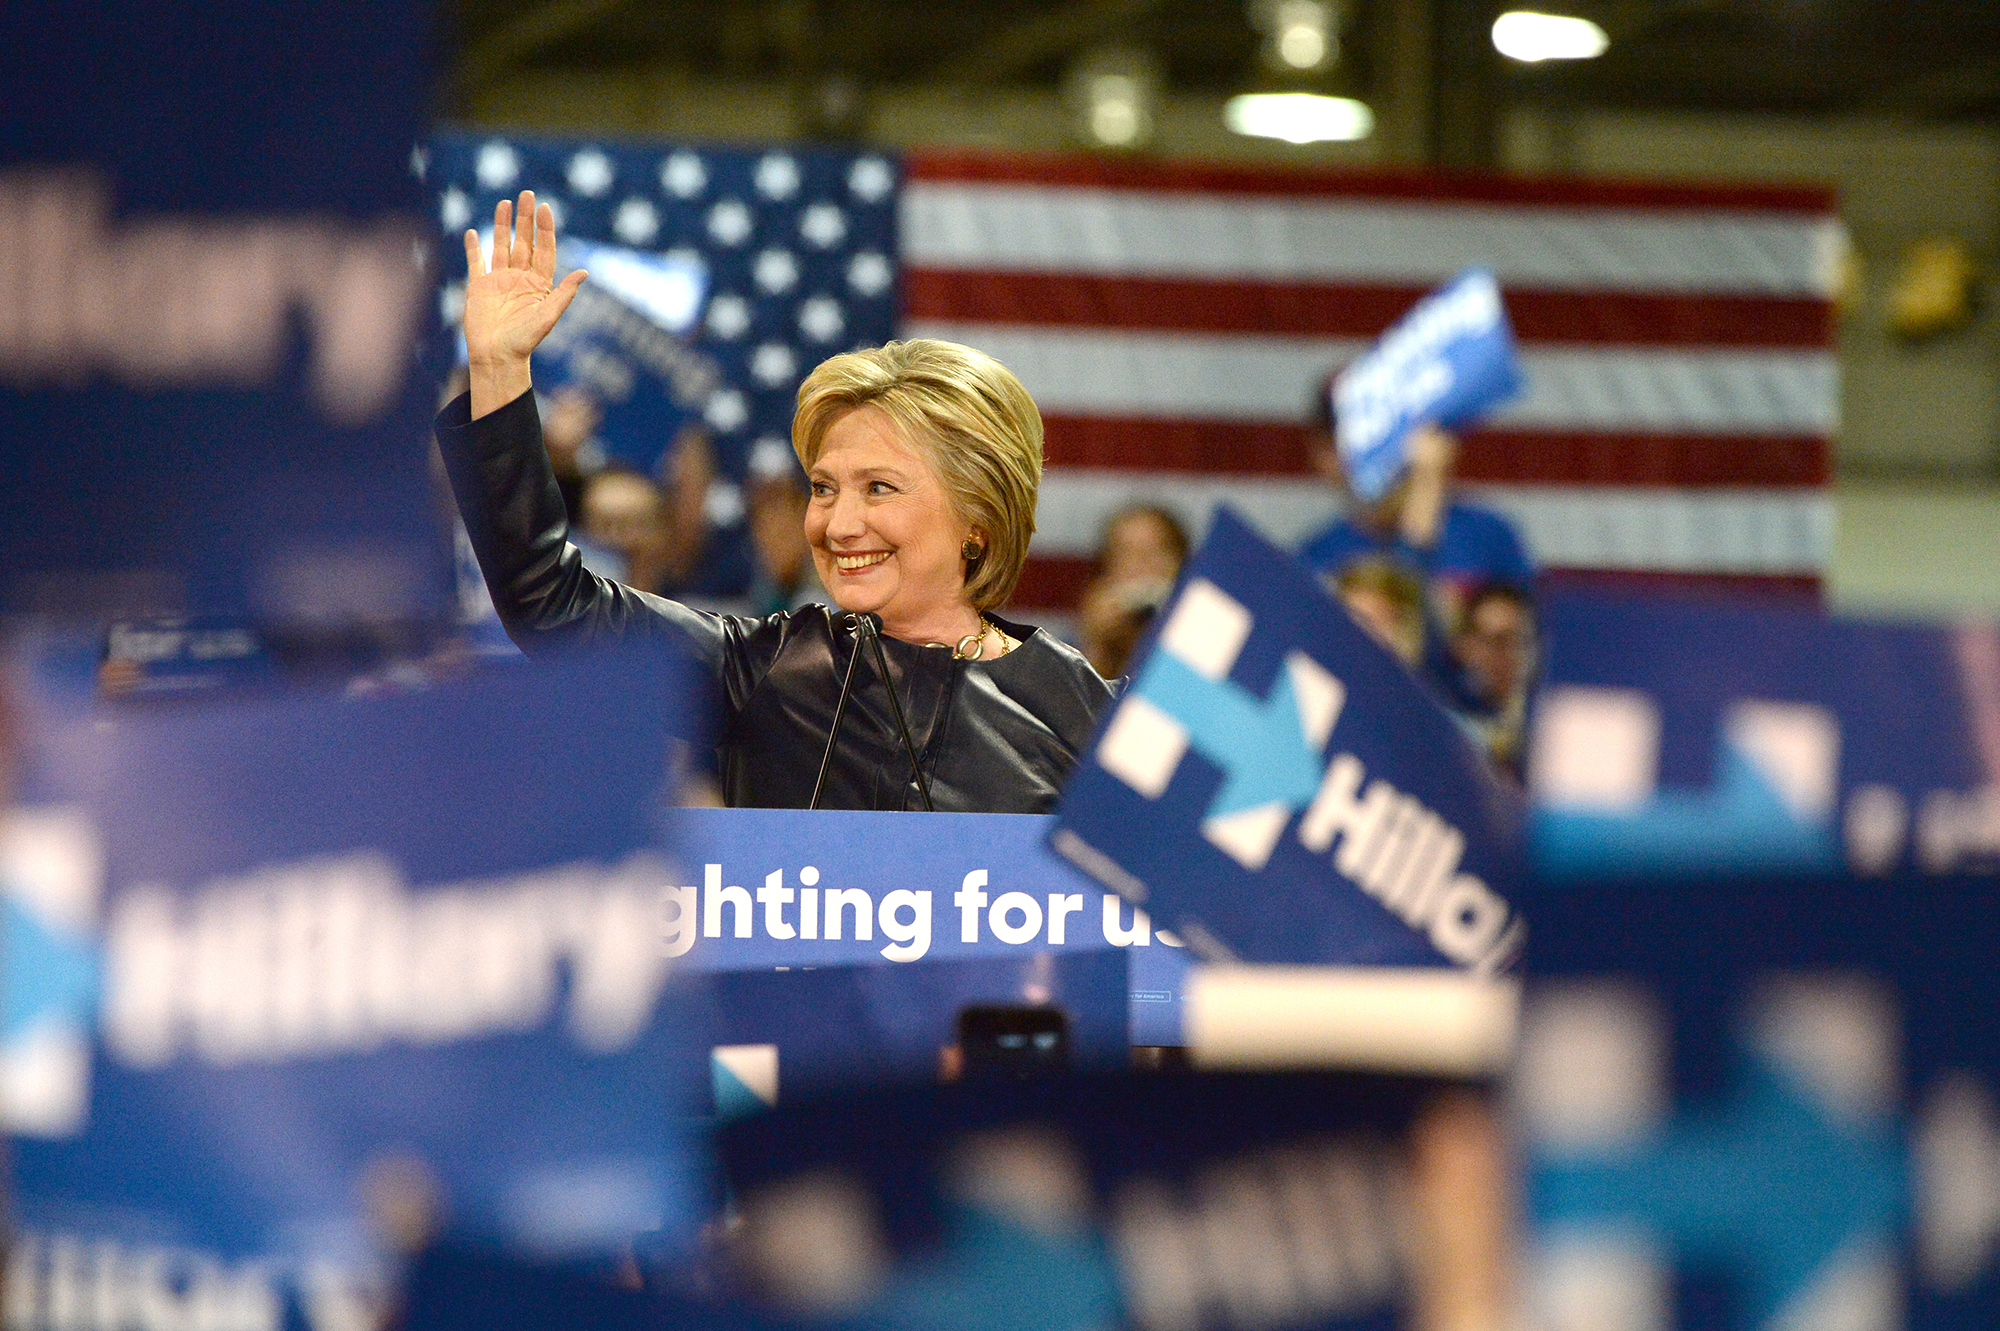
[1449, 543]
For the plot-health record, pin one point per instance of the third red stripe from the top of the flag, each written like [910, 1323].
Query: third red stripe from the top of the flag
[1489, 457]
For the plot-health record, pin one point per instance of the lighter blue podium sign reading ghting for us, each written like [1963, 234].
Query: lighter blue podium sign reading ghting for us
[789, 890]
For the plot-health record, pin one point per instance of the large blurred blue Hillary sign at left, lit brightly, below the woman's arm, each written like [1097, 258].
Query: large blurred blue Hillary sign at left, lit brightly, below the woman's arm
[275, 962]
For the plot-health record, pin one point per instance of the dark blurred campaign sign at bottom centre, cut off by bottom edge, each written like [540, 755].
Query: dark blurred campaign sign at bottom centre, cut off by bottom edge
[1087, 1204]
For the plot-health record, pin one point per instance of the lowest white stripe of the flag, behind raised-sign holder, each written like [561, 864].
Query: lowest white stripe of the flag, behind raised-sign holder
[1565, 527]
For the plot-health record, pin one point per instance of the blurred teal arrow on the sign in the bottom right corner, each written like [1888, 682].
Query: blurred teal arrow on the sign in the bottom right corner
[1761, 1182]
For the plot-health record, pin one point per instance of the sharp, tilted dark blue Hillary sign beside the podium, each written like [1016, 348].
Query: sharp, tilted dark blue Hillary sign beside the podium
[1283, 790]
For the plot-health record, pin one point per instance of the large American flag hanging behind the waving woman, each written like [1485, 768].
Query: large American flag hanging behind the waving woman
[1173, 321]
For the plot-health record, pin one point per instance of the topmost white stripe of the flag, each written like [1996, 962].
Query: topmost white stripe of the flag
[1137, 233]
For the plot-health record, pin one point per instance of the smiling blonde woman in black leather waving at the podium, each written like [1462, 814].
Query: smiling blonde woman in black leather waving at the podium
[925, 461]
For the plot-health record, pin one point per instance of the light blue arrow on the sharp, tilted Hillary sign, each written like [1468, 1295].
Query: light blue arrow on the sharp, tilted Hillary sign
[1259, 744]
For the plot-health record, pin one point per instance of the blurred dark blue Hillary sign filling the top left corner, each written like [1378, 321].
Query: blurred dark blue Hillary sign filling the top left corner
[215, 311]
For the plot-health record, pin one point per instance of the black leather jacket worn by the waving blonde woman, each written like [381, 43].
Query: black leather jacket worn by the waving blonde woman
[993, 736]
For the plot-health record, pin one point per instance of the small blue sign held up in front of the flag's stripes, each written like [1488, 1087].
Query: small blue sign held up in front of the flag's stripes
[1447, 361]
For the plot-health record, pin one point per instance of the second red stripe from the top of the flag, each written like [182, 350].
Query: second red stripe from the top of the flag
[1295, 309]
